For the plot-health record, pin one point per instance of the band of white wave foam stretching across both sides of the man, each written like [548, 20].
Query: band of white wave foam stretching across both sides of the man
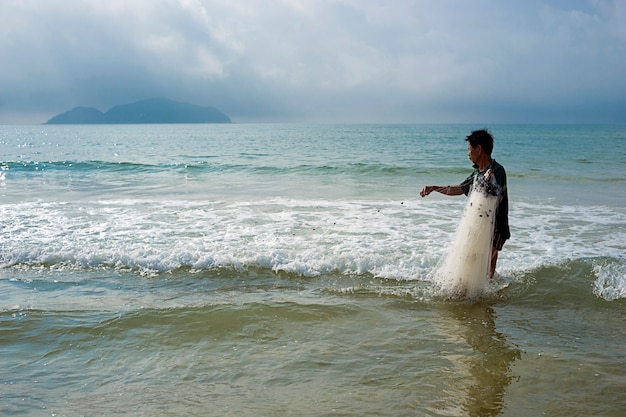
[385, 239]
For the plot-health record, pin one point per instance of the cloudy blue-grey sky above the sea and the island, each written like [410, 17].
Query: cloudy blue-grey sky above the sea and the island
[320, 61]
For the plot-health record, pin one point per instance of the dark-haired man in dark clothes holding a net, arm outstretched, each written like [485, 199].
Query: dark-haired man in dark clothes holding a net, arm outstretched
[479, 147]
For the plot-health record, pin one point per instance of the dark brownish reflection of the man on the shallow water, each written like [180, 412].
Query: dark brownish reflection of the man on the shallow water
[488, 366]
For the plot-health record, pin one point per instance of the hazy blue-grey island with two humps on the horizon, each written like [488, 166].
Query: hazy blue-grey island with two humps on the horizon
[154, 110]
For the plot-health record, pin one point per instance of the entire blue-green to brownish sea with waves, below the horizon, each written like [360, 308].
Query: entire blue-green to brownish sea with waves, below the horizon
[280, 270]
